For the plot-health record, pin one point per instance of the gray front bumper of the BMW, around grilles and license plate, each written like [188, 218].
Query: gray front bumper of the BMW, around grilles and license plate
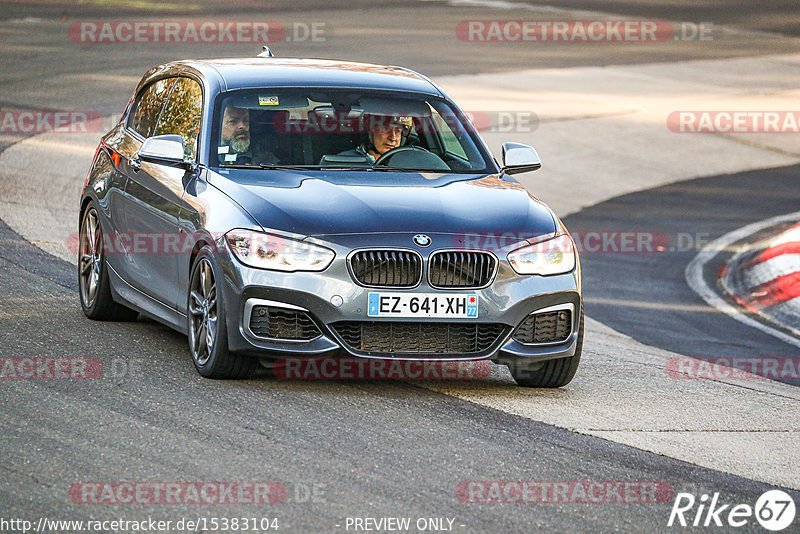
[332, 296]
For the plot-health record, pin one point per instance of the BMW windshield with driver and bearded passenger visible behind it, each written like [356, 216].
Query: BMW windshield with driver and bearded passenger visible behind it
[343, 130]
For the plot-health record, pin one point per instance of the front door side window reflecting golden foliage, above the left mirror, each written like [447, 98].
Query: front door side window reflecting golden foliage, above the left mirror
[182, 114]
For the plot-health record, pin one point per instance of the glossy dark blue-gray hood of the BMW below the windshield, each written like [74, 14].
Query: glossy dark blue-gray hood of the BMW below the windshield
[319, 203]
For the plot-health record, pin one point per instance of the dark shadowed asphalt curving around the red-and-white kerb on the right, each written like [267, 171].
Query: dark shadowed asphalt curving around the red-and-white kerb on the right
[645, 295]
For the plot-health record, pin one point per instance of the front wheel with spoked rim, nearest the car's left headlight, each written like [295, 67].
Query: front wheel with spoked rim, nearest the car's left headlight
[208, 335]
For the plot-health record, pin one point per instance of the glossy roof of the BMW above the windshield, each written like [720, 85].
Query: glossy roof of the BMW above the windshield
[294, 72]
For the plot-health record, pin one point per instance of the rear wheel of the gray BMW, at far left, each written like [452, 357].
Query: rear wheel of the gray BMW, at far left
[94, 287]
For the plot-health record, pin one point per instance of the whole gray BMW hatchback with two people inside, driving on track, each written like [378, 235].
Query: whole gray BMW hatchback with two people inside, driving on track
[270, 208]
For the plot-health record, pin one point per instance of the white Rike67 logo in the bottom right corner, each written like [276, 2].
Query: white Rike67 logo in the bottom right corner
[774, 511]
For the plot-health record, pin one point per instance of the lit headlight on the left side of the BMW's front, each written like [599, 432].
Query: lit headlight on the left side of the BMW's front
[267, 251]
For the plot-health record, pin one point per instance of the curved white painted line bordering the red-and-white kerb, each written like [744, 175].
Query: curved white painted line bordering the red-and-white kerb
[694, 276]
